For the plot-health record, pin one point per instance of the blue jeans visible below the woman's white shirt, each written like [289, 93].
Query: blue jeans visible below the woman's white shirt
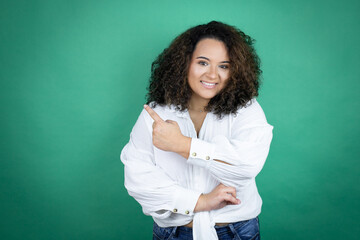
[243, 230]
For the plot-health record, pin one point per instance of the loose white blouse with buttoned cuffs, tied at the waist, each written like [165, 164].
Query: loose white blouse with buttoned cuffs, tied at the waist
[167, 186]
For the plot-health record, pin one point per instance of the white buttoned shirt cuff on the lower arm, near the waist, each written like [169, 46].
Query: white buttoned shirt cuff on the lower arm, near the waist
[185, 201]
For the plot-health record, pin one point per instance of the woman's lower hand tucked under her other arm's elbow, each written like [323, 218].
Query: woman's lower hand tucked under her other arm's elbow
[217, 198]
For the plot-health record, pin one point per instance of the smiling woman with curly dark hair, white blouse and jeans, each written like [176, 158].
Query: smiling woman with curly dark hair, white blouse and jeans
[198, 145]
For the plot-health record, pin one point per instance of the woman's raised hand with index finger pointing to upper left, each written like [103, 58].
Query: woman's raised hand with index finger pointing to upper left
[167, 135]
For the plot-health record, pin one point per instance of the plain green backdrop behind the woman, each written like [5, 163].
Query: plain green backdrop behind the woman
[73, 80]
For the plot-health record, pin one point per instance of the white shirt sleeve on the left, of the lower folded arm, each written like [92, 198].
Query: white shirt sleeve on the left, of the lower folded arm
[158, 194]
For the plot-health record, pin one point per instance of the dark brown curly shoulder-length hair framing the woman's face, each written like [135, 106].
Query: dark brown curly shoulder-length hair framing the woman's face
[168, 82]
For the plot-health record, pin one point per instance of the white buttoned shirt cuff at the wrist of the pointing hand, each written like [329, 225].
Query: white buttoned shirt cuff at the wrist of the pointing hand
[201, 152]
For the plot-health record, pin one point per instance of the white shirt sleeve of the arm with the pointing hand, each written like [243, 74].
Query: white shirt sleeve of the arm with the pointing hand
[241, 156]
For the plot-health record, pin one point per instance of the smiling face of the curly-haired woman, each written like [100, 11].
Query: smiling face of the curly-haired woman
[208, 70]
